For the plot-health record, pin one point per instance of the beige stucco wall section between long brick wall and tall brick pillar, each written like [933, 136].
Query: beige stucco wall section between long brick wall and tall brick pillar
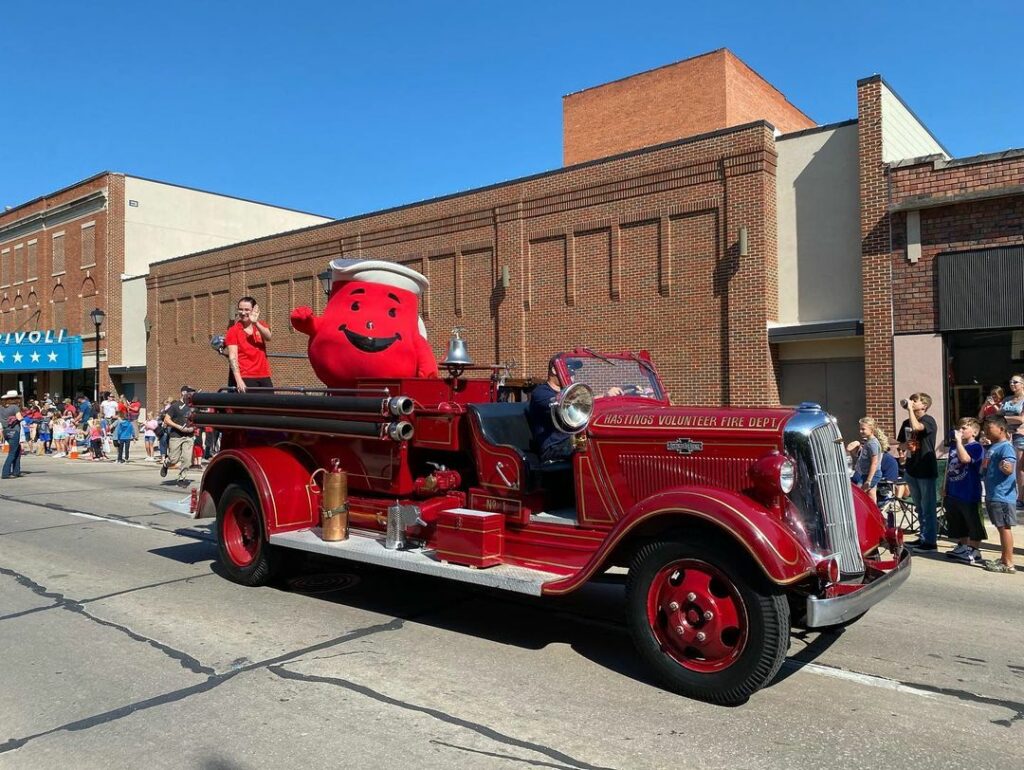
[819, 227]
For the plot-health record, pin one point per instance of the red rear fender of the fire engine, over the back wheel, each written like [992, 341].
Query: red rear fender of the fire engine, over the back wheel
[281, 482]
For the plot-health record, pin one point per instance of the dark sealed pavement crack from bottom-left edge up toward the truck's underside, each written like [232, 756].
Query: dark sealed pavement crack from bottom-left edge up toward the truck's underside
[215, 680]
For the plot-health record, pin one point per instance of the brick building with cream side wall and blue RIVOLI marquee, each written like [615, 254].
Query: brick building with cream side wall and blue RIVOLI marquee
[90, 246]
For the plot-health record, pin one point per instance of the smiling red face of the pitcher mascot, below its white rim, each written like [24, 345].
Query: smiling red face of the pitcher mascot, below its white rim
[368, 330]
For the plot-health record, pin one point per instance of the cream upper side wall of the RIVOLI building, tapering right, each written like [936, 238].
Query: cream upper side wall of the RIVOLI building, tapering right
[169, 222]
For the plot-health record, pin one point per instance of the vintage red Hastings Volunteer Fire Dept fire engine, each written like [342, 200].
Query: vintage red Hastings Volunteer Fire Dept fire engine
[735, 524]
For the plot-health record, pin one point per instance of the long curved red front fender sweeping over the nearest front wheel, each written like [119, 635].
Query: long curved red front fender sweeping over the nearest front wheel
[774, 547]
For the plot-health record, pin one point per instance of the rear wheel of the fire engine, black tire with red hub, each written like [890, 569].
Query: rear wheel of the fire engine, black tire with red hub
[246, 557]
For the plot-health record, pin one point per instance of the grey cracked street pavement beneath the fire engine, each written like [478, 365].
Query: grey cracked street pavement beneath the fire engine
[123, 648]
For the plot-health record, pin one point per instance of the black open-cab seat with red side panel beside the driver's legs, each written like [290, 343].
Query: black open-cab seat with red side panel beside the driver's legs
[503, 427]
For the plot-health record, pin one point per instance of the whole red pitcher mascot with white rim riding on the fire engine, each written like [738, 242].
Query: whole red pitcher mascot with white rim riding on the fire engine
[371, 327]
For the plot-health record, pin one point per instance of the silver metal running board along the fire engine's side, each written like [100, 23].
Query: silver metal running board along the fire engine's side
[371, 551]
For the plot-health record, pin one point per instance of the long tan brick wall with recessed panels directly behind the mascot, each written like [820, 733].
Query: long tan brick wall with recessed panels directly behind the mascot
[634, 252]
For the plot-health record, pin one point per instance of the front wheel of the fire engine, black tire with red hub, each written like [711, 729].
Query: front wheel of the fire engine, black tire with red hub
[745, 640]
